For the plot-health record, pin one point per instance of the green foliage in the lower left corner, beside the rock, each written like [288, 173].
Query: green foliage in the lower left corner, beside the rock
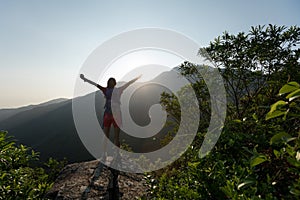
[18, 179]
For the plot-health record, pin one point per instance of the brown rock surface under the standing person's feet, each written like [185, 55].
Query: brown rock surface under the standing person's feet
[93, 180]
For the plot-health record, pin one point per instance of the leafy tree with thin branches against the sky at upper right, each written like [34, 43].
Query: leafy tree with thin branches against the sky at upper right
[255, 63]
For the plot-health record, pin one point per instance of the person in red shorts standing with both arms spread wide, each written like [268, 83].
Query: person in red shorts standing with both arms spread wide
[112, 111]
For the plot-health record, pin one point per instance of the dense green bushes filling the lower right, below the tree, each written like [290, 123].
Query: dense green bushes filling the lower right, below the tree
[253, 159]
